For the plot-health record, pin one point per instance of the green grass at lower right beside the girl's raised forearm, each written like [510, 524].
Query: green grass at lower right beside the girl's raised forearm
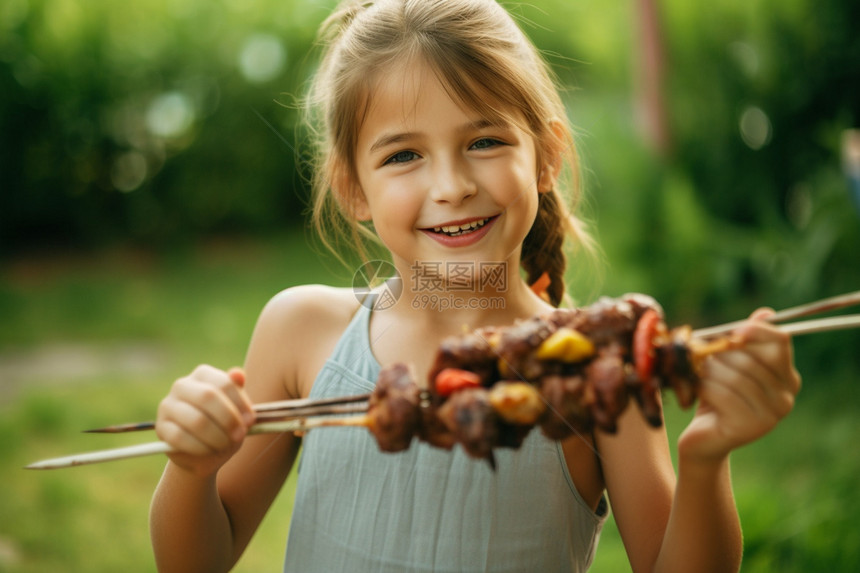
[804, 521]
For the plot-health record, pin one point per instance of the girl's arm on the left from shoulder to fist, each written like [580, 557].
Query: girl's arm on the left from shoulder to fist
[213, 496]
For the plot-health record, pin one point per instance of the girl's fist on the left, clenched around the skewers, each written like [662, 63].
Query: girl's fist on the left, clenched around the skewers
[205, 418]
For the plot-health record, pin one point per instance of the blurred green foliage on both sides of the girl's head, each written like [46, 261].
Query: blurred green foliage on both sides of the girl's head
[161, 121]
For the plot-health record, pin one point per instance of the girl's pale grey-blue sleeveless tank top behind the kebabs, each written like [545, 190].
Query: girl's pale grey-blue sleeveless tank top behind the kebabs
[361, 510]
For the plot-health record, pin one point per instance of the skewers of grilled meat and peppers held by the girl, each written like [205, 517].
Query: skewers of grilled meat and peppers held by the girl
[568, 372]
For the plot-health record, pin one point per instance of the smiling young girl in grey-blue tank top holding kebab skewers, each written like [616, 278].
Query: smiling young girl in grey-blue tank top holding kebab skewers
[441, 131]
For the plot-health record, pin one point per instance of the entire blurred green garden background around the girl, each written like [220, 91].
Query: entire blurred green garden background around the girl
[153, 197]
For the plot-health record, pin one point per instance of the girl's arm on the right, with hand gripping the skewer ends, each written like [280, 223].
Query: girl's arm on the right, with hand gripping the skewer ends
[692, 524]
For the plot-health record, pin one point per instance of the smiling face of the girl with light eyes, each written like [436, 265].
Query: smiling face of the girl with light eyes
[442, 183]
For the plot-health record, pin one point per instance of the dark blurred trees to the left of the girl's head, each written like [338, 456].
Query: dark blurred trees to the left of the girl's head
[151, 122]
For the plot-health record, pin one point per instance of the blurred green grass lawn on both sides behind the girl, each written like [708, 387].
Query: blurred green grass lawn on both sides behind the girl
[98, 339]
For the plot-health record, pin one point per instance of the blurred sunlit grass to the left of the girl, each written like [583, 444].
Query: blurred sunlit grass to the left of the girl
[175, 312]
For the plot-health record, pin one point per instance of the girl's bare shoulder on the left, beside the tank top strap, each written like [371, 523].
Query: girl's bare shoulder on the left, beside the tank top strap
[297, 330]
